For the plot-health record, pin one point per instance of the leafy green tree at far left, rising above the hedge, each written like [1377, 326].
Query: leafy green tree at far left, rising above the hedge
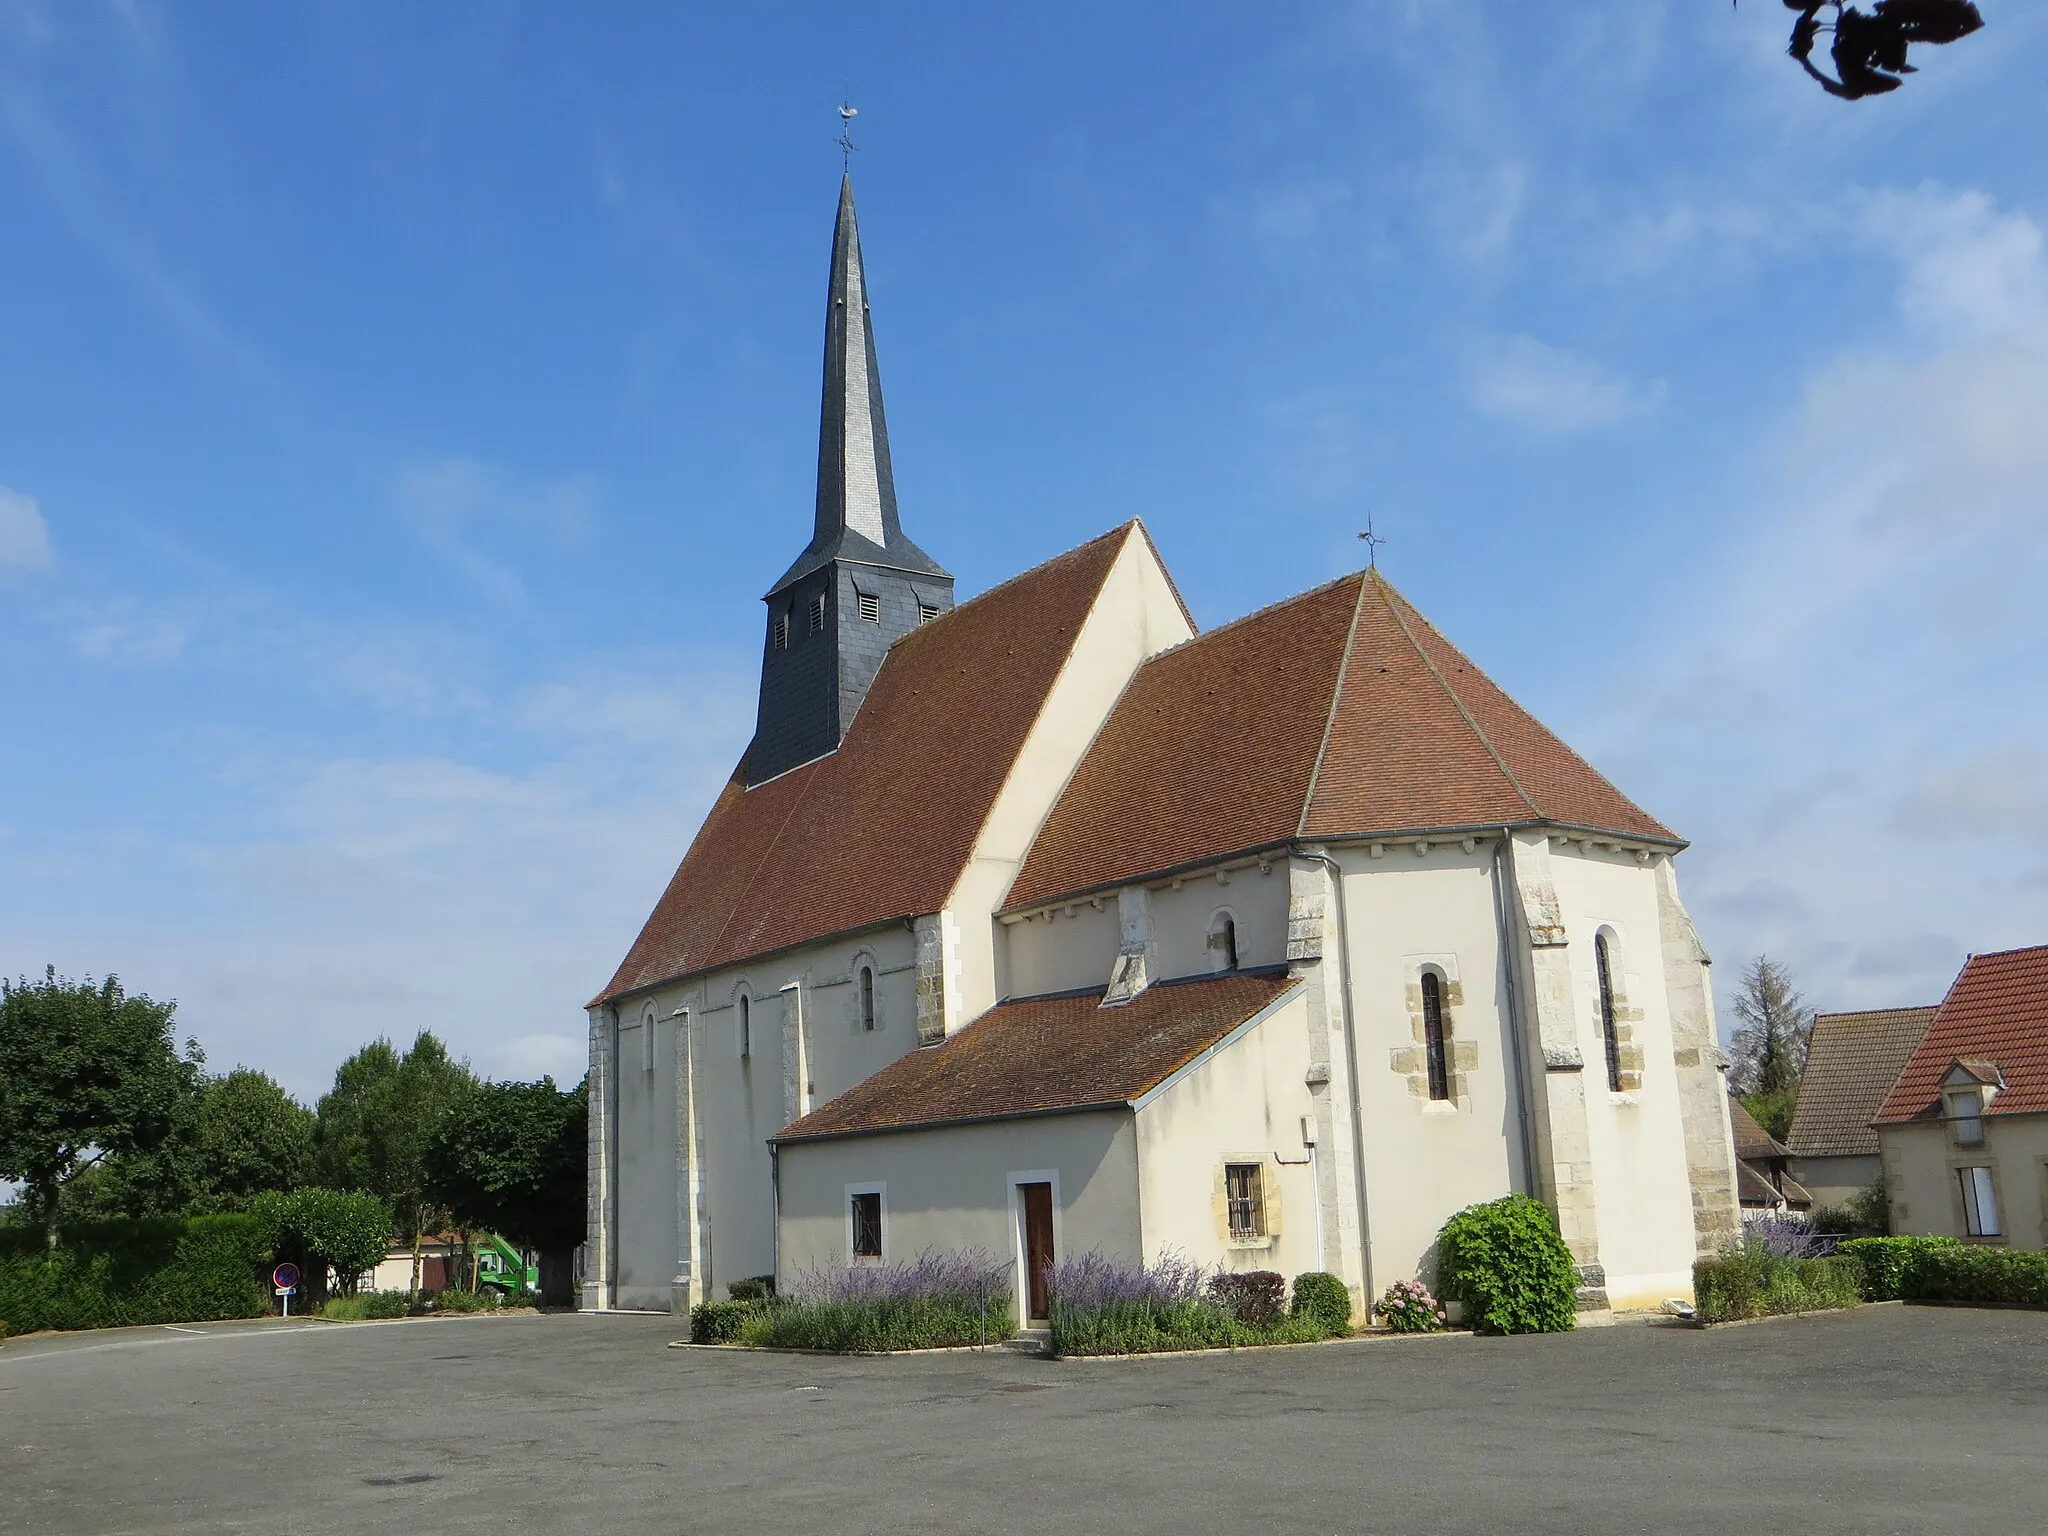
[87, 1074]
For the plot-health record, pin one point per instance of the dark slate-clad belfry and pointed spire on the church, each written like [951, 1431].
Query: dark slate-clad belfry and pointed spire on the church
[859, 585]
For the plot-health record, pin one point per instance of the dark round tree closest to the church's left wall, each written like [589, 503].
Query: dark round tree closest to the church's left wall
[513, 1160]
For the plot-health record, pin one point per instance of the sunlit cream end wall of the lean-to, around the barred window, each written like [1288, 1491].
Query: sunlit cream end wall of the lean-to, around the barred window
[1242, 1107]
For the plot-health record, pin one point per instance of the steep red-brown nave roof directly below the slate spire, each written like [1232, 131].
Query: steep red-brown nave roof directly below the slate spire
[882, 828]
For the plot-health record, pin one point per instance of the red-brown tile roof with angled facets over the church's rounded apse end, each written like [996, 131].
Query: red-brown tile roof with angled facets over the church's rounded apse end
[1328, 716]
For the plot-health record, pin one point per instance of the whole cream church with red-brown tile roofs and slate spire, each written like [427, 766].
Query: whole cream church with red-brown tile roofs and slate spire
[1050, 925]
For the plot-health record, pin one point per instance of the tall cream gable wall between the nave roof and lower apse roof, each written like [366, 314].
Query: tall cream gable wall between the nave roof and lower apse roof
[1136, 617]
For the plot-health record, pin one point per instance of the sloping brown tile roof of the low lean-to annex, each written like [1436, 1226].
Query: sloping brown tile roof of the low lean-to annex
[1050, 1056]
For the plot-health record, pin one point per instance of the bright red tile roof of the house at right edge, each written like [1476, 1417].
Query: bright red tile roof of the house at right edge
[1996, 1013]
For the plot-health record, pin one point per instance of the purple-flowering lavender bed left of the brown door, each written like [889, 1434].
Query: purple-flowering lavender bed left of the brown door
[929, 1304]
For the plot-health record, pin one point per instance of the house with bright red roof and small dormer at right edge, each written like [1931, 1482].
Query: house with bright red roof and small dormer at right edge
[1965, 1132]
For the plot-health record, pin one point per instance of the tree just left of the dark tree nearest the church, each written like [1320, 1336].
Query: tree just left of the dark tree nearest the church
[378, 1123]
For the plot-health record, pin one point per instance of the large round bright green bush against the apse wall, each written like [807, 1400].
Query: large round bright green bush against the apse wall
[1508, 1269]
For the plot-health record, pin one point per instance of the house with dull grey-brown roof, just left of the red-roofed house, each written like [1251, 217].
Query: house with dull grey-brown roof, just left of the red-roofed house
[1852, 1064]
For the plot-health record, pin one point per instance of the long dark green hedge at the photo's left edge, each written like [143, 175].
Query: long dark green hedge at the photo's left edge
[124, 1273]
